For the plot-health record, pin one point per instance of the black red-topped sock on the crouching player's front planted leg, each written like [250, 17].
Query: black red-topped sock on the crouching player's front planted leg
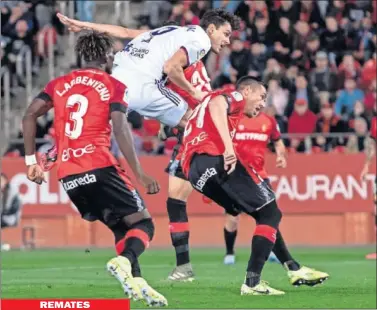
[262, 244]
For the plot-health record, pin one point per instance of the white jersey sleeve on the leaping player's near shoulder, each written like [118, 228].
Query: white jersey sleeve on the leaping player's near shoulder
[197, 44]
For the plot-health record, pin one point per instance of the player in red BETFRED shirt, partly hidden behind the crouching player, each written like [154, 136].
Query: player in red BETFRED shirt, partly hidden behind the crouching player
[251, 140]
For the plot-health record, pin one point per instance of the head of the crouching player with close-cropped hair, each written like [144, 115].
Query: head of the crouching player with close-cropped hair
[255, 95]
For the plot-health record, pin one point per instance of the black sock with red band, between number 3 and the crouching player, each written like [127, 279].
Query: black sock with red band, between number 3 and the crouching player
[179, 229]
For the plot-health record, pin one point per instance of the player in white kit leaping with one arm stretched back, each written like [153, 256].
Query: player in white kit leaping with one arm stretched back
[154, 56]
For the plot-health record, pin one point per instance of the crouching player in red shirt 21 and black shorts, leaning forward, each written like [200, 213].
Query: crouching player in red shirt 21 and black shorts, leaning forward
[210, 163]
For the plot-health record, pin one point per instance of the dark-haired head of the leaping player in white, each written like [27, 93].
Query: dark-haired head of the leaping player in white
[219, 25]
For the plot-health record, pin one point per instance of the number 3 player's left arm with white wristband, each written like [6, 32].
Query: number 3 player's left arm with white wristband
[36, 109]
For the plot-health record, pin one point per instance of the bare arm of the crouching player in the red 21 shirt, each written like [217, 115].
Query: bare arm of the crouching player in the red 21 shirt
[218, 108]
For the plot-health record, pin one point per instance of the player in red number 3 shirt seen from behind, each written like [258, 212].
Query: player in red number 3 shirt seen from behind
[83, 101]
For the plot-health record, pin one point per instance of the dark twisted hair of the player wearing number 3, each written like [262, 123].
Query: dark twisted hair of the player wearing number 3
[93, 46]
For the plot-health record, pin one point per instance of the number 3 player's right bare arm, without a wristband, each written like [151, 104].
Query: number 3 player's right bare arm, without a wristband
[123, 136]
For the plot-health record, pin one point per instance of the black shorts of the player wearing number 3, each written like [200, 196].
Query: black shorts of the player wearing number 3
[104, 194]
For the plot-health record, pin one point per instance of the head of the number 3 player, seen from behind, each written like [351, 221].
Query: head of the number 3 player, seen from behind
[96, 49]
